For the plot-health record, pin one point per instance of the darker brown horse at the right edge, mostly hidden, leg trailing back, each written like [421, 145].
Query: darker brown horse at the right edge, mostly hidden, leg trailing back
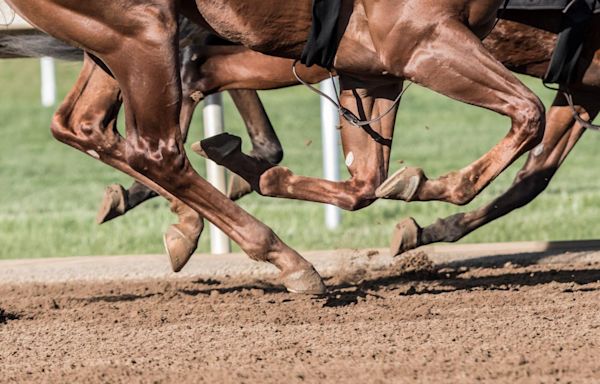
[525, 45]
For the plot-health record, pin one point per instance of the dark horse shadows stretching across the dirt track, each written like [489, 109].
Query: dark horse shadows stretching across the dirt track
[380, 284]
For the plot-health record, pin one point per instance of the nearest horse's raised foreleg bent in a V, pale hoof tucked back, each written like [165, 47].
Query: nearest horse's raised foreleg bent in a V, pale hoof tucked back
[466, 71]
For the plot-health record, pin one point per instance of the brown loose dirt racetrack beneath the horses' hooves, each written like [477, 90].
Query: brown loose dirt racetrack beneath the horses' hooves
[408, 323]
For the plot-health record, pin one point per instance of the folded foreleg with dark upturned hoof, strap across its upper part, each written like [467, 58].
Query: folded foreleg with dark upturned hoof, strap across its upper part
[366, 159]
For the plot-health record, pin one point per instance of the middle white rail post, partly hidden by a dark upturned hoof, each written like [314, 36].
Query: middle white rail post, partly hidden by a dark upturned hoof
[213, 125]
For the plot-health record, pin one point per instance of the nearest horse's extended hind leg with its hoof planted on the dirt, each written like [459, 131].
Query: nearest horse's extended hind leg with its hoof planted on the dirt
[152, 95]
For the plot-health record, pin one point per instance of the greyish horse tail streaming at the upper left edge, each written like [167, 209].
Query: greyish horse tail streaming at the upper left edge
[36, 44]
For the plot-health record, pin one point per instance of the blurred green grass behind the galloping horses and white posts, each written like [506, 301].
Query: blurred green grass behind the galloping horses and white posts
[49, 193]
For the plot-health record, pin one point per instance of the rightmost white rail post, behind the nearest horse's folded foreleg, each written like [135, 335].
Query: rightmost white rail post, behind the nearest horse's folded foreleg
[330, 121]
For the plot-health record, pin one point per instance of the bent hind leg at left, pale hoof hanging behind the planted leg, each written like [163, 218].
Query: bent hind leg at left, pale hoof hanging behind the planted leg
[86, 120]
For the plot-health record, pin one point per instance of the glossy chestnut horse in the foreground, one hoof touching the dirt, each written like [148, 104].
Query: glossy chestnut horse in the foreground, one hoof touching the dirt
[382, 43]
